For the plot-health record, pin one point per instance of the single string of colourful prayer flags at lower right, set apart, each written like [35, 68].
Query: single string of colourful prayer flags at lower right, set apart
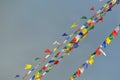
[97, 52]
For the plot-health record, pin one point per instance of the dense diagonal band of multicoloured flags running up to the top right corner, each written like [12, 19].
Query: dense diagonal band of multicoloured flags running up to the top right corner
[83, 31]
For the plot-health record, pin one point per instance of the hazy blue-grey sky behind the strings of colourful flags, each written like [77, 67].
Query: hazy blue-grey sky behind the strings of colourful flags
[27, 27]
